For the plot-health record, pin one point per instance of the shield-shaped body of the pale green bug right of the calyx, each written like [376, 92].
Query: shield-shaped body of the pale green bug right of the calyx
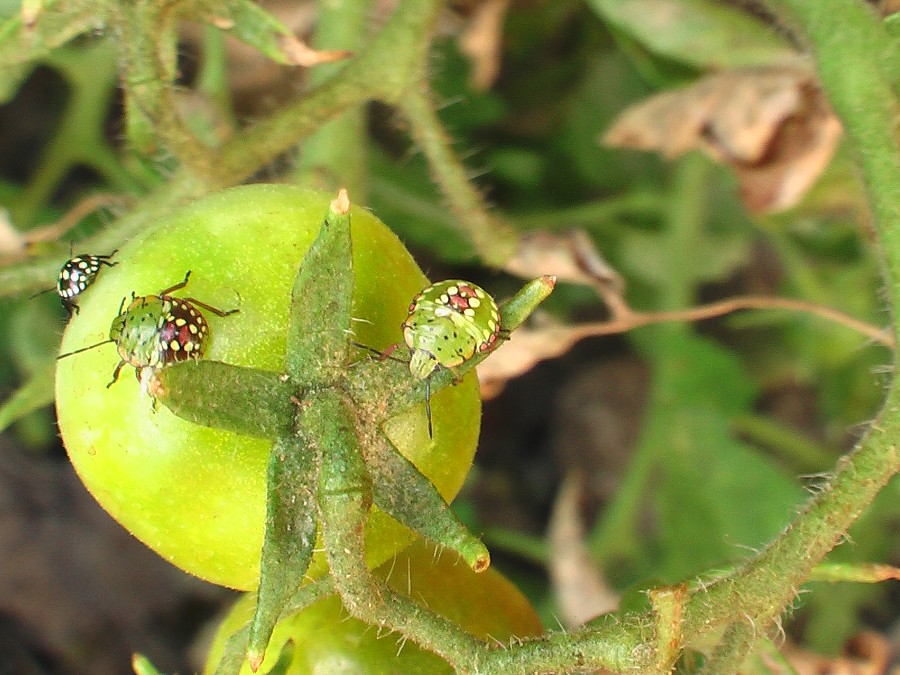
[448, 324]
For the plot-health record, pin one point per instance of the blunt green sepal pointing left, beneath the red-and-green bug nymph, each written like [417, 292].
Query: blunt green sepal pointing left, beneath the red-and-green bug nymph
[218, 395]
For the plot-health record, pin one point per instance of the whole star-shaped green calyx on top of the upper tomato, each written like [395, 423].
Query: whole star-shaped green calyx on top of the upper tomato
[330, 460]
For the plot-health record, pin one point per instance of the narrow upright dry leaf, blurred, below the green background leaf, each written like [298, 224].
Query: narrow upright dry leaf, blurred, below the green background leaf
[580, 589]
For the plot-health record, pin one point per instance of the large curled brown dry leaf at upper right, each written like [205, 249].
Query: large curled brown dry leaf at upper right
[772, 126]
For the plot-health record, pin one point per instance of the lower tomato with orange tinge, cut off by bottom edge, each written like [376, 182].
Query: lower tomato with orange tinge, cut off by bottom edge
[326, 640]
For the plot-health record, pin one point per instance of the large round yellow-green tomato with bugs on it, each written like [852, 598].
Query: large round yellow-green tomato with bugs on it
[197, 495]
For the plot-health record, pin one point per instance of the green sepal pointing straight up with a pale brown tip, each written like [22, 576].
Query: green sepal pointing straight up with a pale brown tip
[321, 302]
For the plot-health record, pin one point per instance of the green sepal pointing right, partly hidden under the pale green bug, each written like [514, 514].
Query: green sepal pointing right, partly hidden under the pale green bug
[388, 384]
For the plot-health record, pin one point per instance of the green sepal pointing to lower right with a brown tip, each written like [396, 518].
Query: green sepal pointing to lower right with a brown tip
[403, 492]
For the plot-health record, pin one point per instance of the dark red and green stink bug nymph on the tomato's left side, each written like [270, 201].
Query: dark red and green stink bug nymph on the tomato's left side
[154, 331]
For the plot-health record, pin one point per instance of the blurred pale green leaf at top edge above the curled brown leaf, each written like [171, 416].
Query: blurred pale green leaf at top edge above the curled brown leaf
[703, 33]
